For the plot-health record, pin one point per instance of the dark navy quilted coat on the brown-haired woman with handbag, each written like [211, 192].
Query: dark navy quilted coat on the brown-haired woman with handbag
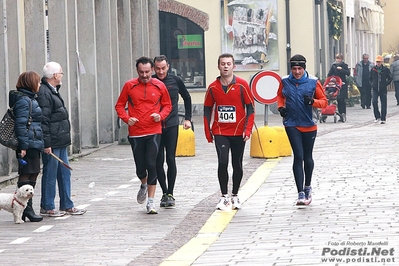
[28, 133]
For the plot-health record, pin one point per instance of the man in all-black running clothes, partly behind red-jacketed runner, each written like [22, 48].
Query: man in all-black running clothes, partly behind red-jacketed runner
[170, 129]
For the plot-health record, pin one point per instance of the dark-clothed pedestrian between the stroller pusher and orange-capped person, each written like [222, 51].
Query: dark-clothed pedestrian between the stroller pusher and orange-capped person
[362, 79]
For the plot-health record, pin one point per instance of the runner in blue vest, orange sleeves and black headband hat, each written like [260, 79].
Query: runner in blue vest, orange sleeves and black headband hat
[298, 95]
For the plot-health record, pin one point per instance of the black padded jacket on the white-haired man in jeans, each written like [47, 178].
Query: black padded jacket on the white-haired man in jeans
[56, 126]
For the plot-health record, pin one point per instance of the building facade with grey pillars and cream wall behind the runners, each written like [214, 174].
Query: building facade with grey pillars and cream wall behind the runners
[97, 42]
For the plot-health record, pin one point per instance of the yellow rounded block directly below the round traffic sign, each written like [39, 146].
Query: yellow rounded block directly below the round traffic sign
[264, 143]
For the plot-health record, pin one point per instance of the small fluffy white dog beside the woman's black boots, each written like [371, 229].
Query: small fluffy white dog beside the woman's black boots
[16, 203]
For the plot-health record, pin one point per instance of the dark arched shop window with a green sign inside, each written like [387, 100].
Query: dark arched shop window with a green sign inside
[182, 41]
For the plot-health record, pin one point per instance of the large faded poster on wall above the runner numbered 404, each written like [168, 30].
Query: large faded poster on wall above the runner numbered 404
[249, 32]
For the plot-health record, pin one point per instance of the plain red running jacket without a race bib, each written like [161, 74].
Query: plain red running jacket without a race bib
[143, 100]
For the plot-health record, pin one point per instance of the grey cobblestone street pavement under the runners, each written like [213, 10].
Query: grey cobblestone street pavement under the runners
[354, 187]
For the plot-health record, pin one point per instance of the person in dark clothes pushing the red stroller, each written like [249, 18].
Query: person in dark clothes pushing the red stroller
[340, 68]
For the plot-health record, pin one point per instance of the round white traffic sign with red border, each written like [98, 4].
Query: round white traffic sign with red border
[264, 86]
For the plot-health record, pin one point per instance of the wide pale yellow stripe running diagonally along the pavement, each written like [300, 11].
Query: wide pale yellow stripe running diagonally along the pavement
[218, 221]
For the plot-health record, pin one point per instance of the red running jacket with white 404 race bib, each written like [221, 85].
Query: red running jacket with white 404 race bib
[234, 110]
